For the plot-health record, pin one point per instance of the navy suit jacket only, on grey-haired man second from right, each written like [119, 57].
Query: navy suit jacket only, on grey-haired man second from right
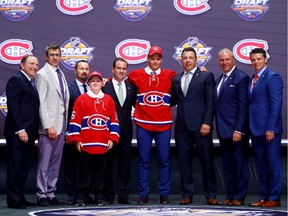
[231, 106]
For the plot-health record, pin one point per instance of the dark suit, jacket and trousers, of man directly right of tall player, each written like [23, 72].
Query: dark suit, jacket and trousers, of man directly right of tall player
[192, 111]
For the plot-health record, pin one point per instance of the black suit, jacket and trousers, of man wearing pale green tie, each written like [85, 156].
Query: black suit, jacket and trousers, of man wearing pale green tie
[122, 150]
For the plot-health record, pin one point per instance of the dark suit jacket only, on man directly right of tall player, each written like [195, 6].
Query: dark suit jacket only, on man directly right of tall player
[197, 107]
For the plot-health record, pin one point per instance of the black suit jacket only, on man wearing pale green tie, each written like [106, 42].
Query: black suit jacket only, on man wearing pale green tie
[124, 113]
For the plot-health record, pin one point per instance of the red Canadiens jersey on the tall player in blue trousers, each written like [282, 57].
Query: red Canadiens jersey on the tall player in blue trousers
[152, 111]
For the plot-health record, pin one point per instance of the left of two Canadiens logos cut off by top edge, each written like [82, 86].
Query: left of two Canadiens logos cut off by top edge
[72, 7]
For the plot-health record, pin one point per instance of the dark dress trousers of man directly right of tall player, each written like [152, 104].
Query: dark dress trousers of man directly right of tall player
[185, 141]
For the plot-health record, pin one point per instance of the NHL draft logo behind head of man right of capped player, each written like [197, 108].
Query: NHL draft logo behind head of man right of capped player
[202, 50]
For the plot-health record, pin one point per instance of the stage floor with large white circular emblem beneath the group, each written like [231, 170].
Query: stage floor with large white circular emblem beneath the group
[199, 207]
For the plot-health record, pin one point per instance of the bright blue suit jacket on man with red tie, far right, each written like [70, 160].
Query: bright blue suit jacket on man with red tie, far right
[266, 102]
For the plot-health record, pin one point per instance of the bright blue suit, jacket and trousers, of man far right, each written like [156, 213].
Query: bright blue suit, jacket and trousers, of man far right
[266, 102]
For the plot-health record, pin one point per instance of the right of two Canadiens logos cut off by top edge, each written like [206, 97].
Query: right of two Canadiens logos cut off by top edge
[191, 7]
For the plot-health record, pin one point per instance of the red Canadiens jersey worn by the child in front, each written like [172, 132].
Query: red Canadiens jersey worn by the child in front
[93, 122]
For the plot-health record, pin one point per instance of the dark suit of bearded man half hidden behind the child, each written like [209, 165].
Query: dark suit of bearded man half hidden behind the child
[70, 154]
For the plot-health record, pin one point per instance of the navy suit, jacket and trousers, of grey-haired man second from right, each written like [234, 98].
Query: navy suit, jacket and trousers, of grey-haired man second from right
[231, 114]
